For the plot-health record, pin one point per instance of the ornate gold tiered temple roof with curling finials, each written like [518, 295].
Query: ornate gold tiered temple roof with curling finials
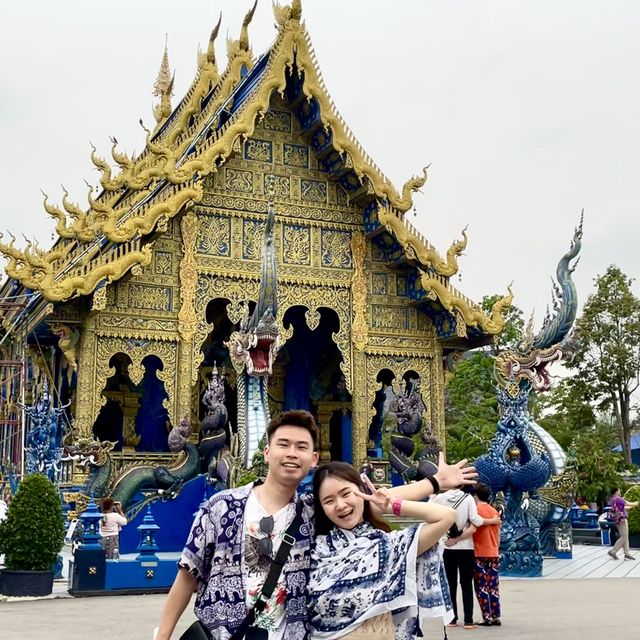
[111, 237]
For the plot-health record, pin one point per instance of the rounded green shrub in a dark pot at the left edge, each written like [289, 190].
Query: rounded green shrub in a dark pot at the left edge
[31, 538]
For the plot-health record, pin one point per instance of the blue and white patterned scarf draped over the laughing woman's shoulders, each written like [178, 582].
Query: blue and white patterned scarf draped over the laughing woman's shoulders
[363, 573]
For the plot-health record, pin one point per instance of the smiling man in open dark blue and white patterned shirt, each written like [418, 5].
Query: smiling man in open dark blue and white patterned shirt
[238, 532]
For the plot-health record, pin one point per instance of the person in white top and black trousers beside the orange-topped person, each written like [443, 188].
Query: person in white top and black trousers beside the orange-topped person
[459, 557]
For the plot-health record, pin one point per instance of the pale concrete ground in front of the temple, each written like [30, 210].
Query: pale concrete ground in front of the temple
[532, 609]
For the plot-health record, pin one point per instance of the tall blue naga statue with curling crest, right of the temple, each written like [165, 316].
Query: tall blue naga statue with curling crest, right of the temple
[523, 457]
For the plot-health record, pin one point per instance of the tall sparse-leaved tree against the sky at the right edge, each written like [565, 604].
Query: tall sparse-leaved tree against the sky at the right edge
[608, 352]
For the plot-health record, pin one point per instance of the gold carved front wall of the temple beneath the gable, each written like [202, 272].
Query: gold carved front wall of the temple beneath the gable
[212, 250]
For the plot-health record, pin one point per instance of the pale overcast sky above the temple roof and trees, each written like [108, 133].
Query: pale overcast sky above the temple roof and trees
[527, 110]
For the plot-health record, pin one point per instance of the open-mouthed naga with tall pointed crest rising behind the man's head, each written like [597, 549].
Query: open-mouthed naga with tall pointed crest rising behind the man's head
[253, 348]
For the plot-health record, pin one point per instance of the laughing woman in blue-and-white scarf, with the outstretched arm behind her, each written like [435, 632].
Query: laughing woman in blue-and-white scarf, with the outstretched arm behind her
[367, 581]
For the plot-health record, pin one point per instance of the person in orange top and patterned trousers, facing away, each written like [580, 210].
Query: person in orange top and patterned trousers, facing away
[486, 543]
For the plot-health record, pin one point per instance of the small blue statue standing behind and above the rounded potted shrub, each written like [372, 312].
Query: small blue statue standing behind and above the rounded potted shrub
[44, 439]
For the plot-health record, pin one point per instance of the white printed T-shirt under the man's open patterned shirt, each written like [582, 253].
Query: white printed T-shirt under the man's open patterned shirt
[257, 565]
